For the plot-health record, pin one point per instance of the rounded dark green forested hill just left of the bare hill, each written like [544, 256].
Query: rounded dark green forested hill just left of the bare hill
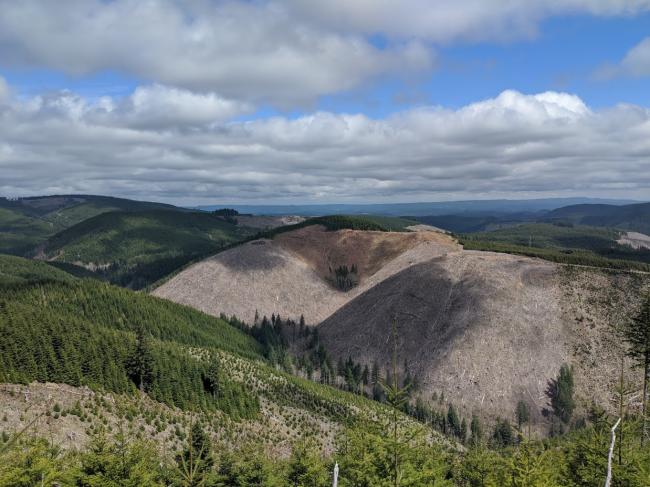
[135, 249]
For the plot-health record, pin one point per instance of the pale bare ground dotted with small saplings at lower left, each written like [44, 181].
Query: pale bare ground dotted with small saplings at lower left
[68, 416]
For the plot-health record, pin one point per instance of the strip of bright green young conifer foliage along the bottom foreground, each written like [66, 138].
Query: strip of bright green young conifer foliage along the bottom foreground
[365, 456]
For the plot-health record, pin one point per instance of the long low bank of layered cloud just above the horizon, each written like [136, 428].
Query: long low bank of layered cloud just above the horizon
[514, 144]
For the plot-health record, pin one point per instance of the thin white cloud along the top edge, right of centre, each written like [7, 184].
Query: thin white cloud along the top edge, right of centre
[450, 20]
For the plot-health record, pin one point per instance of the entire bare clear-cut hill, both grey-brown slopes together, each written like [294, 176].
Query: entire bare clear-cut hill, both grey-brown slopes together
[455, 308]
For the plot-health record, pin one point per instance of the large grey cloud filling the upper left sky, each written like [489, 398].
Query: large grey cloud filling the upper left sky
[254, 51]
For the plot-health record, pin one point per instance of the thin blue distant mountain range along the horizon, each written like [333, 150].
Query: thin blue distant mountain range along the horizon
[470, 207]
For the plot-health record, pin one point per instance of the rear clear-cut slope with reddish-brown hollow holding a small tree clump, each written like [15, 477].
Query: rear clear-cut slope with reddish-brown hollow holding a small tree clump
[292, 274]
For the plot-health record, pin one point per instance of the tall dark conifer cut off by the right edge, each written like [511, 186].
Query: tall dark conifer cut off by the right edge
[637, 335]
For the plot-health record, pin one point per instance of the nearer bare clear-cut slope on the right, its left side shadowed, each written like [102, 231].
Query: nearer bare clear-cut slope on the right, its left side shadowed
[487, 330]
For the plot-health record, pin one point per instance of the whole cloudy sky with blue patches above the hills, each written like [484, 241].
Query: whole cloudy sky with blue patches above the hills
[344, 101]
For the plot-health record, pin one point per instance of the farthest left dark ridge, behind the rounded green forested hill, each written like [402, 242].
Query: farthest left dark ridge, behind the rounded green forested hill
[27, 222]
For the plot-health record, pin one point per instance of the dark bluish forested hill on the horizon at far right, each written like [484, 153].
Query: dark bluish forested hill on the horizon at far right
[627, 217]
